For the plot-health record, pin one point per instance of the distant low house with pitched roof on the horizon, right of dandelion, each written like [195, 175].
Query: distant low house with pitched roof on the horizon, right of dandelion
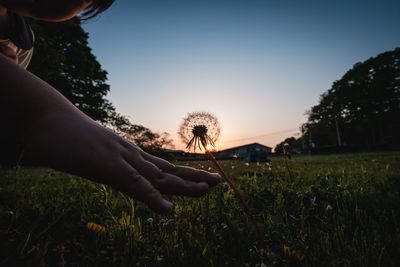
[254, 152]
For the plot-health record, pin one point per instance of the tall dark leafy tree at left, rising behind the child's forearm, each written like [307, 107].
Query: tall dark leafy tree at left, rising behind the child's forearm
[63, 58]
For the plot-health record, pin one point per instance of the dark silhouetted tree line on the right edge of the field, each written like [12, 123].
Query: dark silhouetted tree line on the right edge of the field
[361, 111]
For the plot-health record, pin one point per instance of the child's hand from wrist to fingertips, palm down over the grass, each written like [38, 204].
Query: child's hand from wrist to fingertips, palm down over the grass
[70, 141]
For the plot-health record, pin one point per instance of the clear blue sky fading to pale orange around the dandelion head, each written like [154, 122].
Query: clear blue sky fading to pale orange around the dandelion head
[258, 66]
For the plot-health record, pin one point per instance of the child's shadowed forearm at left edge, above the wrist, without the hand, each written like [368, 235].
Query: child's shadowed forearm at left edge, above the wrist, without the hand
[25, 99]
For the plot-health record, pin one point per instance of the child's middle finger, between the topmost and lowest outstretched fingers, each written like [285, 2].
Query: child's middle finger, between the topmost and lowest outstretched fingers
[163, 181]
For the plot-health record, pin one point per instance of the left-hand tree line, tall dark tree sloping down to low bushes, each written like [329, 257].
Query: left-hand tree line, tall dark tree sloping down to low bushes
[63, 58]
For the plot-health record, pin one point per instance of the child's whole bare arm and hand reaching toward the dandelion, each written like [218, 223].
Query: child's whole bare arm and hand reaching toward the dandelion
[54, 133]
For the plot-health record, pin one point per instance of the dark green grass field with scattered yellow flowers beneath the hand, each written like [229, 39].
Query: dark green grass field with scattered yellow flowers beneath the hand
[340, 210]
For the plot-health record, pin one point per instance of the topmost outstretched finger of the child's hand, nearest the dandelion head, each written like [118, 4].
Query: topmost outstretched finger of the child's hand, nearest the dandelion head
[187, 173]
